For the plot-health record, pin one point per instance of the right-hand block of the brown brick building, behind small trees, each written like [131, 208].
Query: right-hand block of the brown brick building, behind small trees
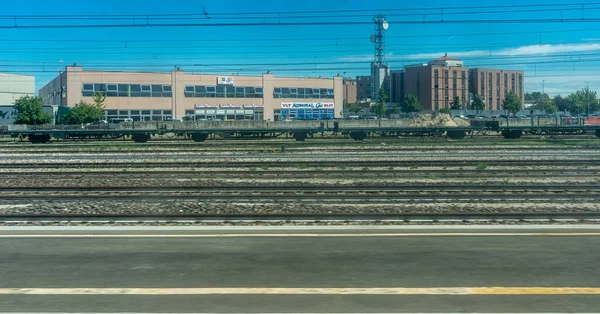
[492, 85]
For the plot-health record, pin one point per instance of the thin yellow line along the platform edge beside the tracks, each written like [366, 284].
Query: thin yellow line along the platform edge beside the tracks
[311, 235]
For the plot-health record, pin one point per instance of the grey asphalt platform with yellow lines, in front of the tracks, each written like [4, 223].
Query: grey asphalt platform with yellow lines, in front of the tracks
[436, 269]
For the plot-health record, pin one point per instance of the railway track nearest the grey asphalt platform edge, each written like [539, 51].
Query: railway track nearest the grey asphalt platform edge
[253, 218]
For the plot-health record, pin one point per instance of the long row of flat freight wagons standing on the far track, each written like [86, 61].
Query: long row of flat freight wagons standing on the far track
[200, 131]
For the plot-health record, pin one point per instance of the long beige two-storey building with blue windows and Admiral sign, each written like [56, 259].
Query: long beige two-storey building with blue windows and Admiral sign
[151, 96]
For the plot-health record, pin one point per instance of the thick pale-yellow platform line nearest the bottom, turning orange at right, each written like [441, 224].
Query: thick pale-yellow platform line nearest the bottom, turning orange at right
[312, 291]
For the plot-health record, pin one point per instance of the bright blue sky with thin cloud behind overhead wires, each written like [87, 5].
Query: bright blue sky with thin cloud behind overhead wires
[566, 56]
